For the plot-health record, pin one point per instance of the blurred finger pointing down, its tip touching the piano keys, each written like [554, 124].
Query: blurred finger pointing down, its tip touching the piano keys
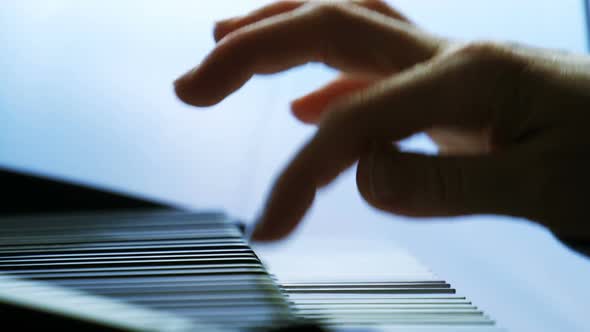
[345, 133]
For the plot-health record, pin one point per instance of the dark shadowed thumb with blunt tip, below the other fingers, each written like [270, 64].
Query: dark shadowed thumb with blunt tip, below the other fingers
[428, 186]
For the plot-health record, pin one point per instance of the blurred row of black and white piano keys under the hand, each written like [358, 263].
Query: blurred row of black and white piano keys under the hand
[198, 268]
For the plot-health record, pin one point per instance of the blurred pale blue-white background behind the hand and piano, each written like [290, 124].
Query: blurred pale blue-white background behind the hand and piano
[86, 95]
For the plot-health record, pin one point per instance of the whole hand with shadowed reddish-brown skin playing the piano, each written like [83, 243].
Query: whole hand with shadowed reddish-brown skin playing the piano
[509, 121]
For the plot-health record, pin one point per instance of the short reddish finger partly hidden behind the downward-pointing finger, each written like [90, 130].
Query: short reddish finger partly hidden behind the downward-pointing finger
[309, 108]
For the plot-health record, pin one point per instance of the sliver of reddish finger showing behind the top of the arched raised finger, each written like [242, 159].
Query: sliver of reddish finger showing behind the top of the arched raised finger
[223, 28]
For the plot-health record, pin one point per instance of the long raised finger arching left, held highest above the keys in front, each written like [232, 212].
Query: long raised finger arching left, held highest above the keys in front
[346, 39]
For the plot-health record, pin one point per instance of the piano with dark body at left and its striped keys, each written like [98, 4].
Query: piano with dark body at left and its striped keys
[75, 257]
